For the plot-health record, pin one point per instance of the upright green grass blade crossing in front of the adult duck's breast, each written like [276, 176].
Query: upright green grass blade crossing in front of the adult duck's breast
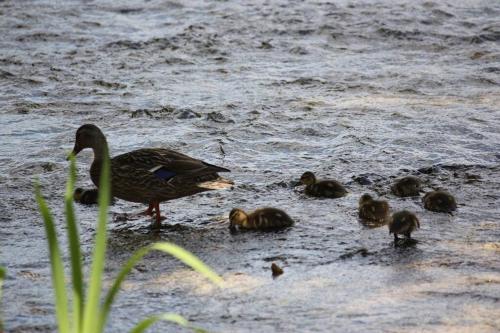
[91, 314]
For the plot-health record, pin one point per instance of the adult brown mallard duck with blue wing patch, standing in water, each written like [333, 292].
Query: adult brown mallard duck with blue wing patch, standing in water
[149, 175]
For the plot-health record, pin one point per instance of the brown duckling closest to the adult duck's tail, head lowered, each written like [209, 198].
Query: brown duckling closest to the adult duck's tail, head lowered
[262, 219]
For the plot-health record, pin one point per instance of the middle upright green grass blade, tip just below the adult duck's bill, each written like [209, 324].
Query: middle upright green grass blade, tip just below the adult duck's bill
[74, 249]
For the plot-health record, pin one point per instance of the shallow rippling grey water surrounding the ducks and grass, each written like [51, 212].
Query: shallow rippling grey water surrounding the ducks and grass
[360, 91]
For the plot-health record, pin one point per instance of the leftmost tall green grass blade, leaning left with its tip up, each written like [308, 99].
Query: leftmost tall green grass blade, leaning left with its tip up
[56, 265]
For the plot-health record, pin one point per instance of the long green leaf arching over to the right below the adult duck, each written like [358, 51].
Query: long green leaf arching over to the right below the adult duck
[172, 249]
